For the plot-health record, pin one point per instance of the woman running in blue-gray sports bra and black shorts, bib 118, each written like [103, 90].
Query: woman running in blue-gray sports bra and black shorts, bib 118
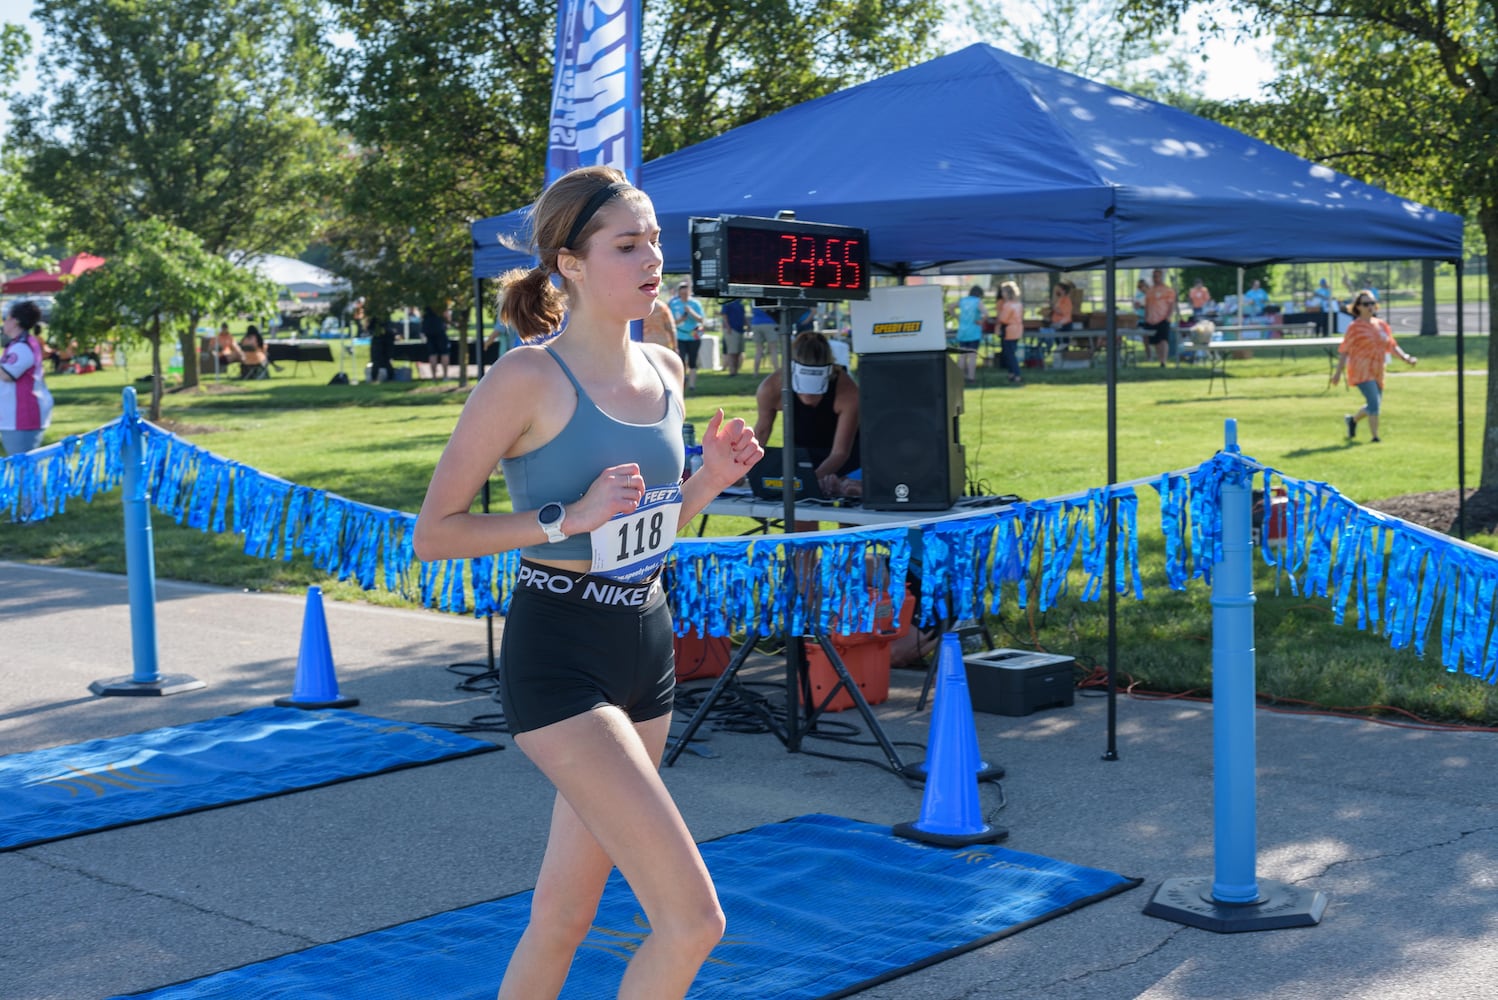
[589, 433]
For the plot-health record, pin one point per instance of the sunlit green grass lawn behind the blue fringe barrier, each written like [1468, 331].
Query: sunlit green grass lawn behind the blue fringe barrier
[378, 444]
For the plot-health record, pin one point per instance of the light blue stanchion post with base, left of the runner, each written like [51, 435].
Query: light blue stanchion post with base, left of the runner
[140, 570]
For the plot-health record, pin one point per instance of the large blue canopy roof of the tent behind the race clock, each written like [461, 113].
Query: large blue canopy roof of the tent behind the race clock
[982, 161]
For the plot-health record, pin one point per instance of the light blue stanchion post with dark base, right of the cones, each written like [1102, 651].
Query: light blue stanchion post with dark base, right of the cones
[1235, 899]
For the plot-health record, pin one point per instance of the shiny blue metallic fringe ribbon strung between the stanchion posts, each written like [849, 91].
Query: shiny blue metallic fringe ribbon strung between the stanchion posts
[1392, 576]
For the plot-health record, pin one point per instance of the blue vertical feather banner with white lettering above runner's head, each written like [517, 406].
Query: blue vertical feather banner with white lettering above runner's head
[595, 94]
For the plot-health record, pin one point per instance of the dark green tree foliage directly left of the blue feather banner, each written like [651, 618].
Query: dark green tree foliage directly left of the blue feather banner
[446, 104]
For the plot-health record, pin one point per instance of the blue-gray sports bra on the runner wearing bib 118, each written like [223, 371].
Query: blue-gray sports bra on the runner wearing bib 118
[592, 441]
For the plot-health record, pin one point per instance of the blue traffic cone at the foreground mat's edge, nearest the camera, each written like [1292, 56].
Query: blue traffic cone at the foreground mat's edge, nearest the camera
[952, 815]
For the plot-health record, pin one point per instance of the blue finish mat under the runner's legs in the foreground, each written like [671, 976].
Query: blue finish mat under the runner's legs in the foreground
[819, 908]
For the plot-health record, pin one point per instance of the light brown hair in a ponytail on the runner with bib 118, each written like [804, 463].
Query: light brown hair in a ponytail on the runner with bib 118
[533, 305]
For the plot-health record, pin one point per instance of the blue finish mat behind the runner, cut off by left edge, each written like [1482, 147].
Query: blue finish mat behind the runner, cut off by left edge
[104, 784]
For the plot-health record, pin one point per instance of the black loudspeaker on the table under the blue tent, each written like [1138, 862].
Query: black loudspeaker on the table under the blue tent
[912, 453]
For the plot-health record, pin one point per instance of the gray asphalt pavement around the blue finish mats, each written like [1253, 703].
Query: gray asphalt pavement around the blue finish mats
[1397, 827]
